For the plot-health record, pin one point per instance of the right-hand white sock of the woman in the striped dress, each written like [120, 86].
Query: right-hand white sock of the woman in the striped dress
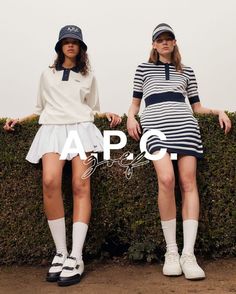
[190, 227]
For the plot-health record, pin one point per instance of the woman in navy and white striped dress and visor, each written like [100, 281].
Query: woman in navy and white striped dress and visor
[164, 83]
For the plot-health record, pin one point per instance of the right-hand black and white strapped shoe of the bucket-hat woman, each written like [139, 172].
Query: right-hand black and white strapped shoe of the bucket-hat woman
[72, 271]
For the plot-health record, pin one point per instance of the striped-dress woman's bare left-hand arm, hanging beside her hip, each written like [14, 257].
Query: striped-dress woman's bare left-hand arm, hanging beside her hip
[133, 126]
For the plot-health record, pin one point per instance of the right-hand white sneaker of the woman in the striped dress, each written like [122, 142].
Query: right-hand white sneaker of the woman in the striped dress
[190, 267]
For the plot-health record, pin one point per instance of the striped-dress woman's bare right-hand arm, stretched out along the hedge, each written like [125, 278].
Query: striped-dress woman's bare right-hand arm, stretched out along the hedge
[223, 117]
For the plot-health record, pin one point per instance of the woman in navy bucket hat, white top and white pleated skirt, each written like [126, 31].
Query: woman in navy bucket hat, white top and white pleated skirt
[67, 100]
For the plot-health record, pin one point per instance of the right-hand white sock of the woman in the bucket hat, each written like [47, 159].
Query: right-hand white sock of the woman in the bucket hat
[78, 237]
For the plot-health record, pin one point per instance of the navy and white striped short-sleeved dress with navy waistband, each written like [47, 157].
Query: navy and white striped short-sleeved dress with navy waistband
[164, 91]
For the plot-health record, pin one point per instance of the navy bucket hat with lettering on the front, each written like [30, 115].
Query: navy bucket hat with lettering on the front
[70, 31]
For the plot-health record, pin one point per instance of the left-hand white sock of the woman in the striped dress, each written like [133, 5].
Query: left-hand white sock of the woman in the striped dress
[169, 231]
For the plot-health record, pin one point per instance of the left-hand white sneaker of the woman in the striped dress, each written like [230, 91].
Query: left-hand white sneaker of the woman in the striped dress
[172, 266]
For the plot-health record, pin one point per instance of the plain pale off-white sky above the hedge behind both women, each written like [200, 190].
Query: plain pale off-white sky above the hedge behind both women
[118, 34]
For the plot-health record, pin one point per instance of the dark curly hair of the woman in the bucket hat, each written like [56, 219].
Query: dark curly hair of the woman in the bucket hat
[82, 61]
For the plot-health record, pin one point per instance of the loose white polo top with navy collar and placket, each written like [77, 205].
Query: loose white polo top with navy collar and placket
[65, 96]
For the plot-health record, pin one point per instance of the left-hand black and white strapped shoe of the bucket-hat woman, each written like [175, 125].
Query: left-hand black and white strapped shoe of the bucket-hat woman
[56, 267]
